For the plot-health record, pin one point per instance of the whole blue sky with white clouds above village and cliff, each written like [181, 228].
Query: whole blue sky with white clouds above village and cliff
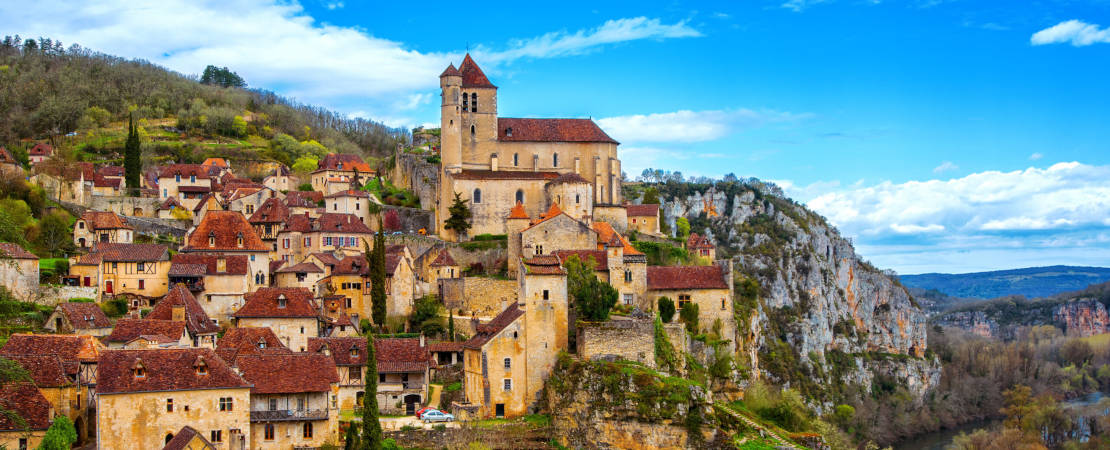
[941, 135]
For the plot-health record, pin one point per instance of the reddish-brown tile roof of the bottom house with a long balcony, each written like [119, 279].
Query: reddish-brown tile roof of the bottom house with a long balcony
[288, 373]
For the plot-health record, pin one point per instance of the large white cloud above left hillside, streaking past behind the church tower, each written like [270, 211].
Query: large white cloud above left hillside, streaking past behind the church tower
[278, 46]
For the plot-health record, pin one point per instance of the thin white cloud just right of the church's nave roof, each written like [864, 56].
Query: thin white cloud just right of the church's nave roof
[688, 126]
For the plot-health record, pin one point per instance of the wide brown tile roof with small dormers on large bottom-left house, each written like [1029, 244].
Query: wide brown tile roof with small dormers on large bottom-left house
[166, 371]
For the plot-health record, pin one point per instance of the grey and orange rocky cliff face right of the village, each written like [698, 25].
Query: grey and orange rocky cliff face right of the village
[839, 316]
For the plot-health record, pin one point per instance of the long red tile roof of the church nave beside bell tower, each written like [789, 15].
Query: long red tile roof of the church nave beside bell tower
[551, 131]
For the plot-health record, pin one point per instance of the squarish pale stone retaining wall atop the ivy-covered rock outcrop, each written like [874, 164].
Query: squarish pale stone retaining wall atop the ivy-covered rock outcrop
[631, 339]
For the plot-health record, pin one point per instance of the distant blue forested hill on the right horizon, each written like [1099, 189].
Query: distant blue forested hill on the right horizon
[1032, 283]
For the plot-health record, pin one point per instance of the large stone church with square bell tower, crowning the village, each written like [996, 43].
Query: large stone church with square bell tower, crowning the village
[495, 163]
